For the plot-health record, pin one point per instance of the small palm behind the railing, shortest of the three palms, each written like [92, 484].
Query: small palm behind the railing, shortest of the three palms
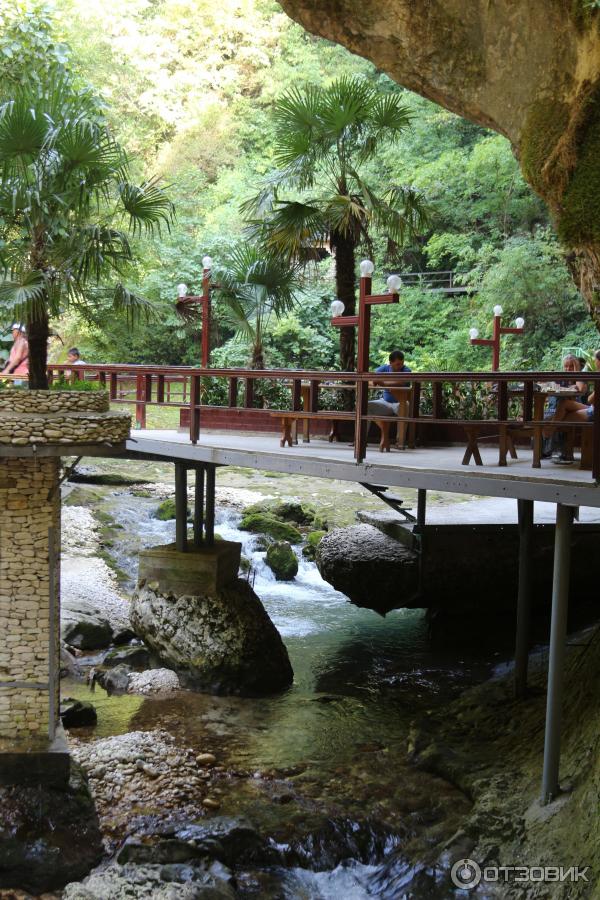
[253, 285]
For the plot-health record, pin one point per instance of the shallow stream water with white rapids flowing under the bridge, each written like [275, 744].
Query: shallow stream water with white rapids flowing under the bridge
[324, 767]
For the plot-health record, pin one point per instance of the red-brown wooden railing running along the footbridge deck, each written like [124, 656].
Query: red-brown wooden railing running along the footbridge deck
[178, 386]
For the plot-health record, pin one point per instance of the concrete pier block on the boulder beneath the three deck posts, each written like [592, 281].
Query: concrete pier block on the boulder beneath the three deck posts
[199, 570]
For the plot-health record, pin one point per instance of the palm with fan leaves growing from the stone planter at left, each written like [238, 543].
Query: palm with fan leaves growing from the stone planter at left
[67, 209]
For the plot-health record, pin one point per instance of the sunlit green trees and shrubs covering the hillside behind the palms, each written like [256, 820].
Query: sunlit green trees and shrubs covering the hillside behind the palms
[192, 90]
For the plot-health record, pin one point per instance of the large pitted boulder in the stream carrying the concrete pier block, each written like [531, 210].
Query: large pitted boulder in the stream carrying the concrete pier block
[223, 643]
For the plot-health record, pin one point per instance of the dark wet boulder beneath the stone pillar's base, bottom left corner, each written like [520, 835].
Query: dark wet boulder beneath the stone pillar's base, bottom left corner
[48, 836]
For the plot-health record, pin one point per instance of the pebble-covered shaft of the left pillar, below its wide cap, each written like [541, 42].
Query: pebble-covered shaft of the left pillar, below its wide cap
[29, 546]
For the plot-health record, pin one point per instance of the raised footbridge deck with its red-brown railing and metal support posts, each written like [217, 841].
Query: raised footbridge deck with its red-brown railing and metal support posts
[422, 468]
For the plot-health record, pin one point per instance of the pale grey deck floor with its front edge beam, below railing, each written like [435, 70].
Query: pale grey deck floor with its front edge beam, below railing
[432, 468]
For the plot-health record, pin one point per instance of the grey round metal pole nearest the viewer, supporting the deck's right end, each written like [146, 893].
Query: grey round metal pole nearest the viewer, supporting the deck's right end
[558, 637]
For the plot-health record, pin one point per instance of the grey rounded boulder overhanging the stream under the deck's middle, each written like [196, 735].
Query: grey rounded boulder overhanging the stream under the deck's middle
[372, 569]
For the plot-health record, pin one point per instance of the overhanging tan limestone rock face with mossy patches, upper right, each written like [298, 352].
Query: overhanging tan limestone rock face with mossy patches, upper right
[530, 71]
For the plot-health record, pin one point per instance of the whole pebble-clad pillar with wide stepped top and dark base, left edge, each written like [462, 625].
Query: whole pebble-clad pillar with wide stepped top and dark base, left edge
[37, 428]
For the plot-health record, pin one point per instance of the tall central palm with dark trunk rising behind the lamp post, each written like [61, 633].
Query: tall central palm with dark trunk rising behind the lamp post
[325, 136]
